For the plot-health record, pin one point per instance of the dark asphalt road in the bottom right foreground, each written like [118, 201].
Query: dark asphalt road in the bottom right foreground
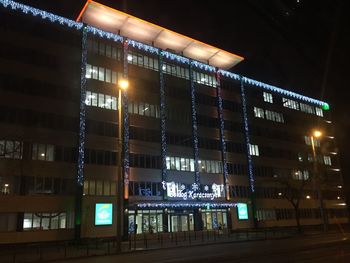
[318, 248]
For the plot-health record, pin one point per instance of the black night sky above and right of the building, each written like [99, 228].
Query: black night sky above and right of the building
[299, 45]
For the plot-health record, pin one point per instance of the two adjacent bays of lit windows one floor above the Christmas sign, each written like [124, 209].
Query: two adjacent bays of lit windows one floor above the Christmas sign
[187, 164]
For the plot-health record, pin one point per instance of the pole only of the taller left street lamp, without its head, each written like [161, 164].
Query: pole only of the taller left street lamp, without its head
[119, 175]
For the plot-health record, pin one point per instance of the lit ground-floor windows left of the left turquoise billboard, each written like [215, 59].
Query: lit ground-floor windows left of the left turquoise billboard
[48, 221]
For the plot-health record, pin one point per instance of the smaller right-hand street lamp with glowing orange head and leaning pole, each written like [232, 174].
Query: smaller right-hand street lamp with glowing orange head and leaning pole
[317, 179]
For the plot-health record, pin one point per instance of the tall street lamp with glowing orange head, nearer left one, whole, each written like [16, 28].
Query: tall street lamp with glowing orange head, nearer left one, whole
[123, 84]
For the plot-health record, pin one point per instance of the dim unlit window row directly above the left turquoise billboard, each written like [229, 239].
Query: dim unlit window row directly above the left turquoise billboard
[99, 188]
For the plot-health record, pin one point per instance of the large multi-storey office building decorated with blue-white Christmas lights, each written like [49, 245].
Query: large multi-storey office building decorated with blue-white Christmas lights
[200, 144]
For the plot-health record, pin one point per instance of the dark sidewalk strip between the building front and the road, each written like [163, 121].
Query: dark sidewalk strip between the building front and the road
[96, 247]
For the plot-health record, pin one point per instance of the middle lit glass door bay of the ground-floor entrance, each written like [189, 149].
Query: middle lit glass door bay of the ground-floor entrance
[179, 222]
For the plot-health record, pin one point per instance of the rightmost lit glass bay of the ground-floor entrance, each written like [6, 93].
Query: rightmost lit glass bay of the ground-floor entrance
[214, 219]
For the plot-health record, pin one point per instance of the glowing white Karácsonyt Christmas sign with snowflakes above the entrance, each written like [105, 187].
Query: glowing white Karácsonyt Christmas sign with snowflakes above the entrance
[179, 191]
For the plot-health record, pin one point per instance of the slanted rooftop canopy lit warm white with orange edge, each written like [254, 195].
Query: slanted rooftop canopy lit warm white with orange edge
[115, 21]
